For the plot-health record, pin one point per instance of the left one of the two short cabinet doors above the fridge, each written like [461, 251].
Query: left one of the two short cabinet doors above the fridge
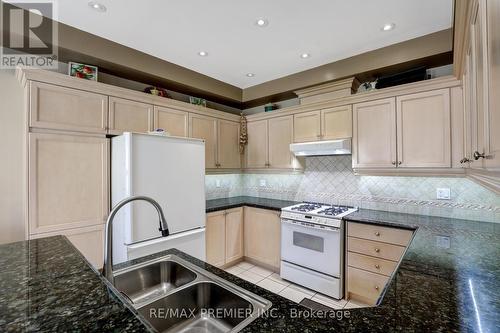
[129, 116]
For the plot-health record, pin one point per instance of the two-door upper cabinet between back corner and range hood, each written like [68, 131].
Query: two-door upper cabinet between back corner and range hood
[269, 144]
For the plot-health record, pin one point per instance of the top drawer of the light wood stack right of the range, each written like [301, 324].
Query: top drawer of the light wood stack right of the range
[382, 234]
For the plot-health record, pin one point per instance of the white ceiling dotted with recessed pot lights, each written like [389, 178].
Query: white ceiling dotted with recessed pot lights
[330, 30]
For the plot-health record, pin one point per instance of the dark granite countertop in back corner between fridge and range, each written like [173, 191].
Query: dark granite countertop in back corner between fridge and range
[233, 202]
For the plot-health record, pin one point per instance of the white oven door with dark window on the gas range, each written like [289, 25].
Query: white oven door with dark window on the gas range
[312, 246]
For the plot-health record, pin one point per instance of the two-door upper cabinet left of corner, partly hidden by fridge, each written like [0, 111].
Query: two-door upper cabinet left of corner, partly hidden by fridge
[221, 140]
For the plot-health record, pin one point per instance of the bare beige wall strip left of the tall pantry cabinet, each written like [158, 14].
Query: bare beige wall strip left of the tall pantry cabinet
[12, 172]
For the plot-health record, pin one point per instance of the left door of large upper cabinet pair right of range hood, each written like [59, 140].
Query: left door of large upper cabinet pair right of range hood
[374, 134]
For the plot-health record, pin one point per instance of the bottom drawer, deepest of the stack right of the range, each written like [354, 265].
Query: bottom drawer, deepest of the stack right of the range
[365, 285]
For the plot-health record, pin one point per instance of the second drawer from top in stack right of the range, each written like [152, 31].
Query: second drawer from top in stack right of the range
[375, 249]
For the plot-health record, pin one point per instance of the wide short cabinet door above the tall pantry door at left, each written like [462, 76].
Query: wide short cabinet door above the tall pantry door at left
[55, 107]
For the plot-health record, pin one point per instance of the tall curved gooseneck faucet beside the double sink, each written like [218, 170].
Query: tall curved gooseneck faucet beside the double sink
[107, 270]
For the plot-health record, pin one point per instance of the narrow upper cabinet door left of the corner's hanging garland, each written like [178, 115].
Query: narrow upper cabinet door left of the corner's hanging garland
[228, 151]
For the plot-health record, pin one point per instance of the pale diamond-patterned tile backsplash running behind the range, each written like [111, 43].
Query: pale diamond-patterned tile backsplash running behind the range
[330, 179]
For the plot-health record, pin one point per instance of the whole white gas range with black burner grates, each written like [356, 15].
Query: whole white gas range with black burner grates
[312, 246]
